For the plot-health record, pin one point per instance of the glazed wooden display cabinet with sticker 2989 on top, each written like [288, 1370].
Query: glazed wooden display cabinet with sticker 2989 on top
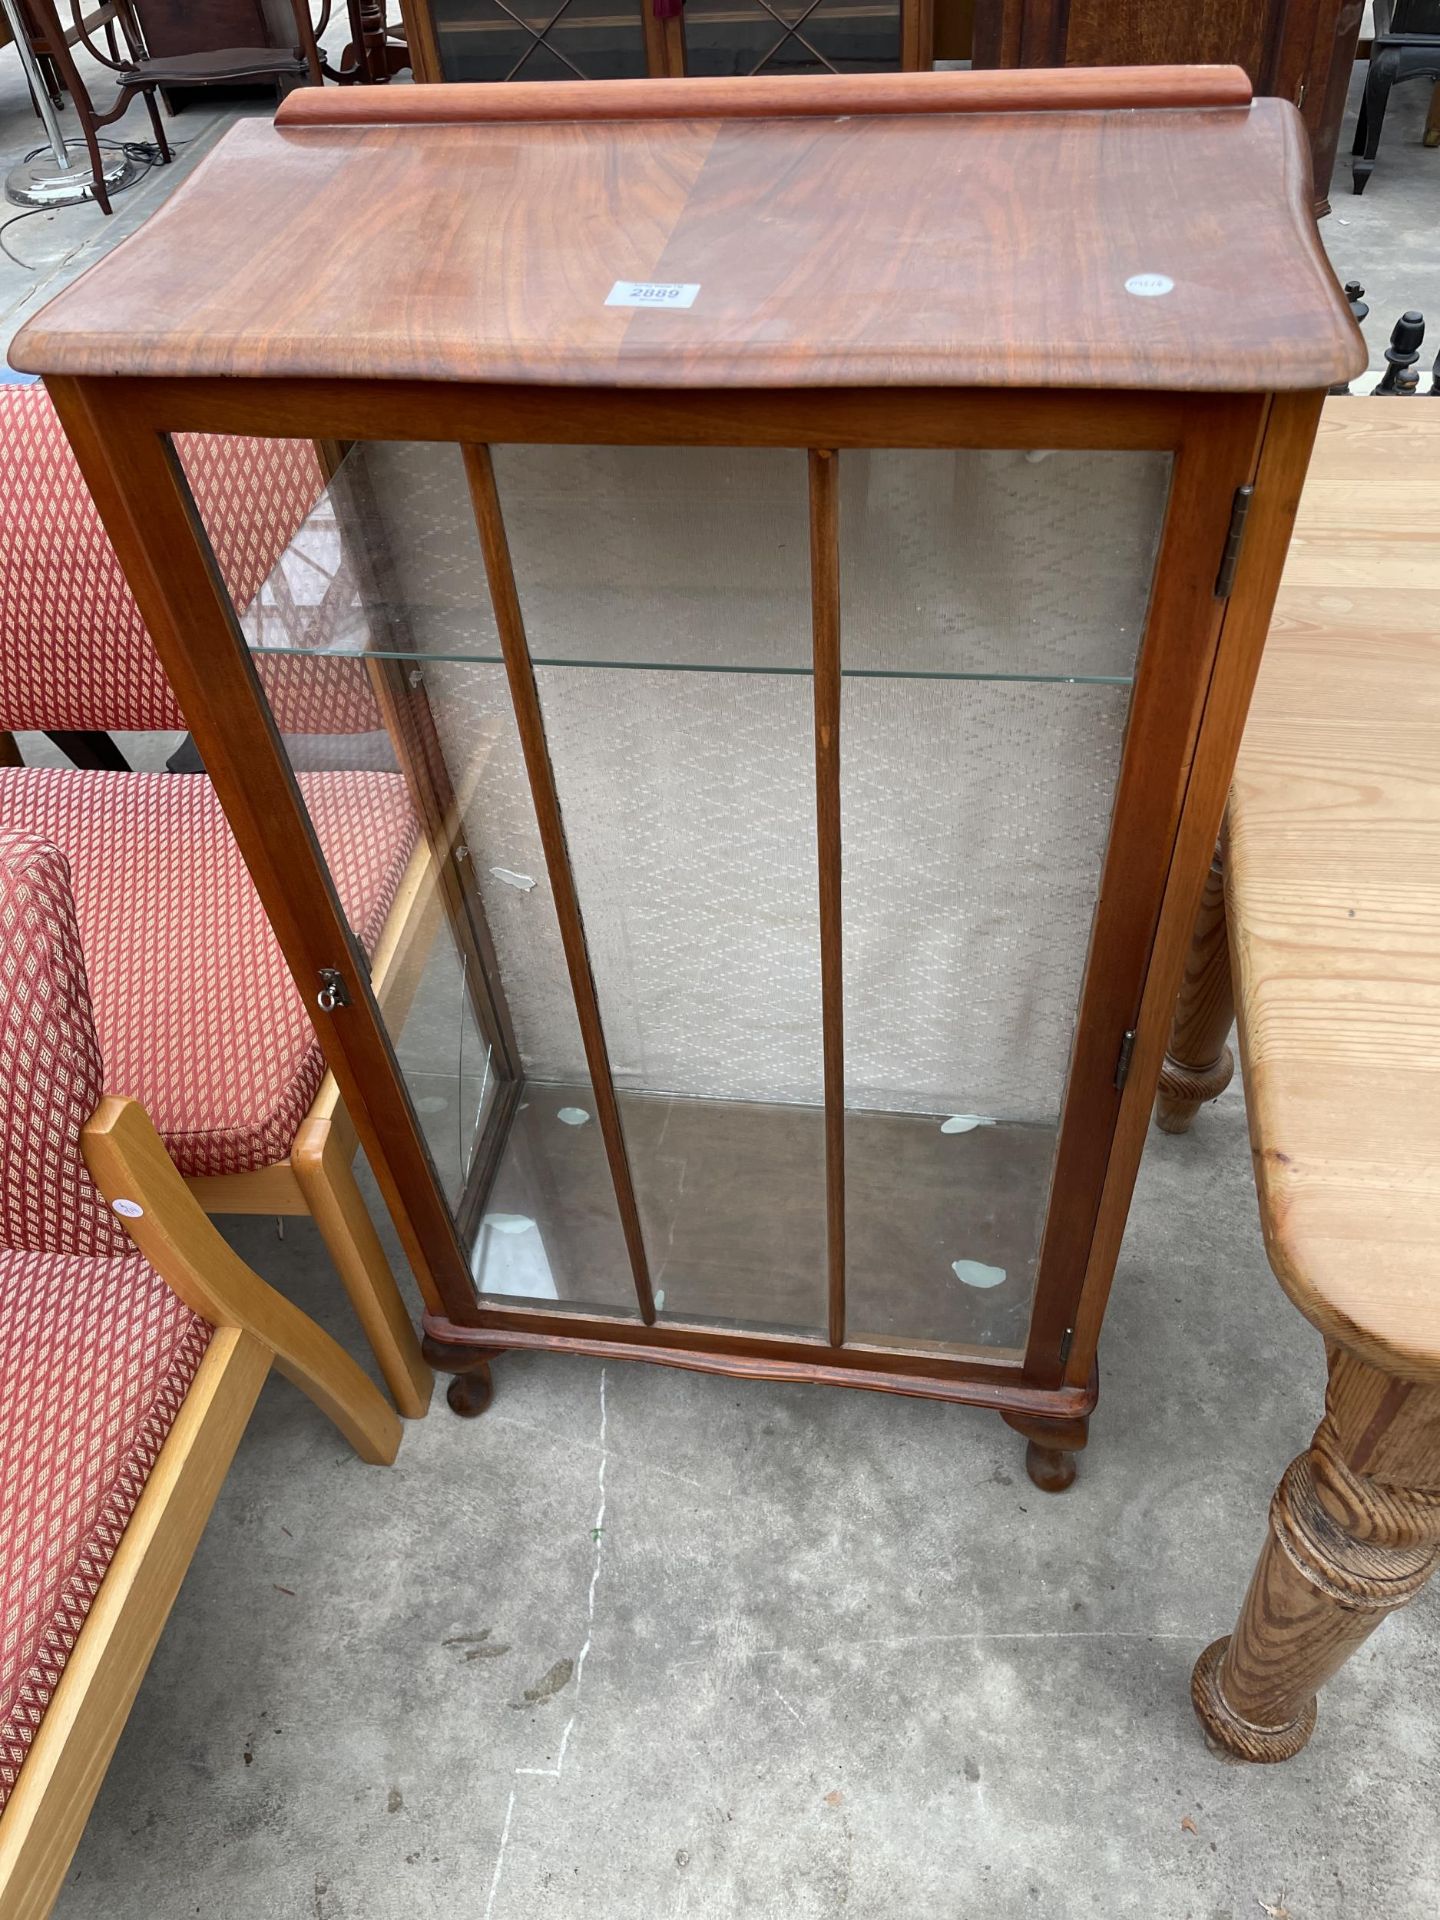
[800, 552]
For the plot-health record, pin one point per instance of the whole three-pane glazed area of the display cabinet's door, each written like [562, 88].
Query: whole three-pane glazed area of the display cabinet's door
[554, 713]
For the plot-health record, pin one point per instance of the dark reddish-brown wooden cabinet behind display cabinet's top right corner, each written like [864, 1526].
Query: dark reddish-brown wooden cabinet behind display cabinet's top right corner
[1299, 51]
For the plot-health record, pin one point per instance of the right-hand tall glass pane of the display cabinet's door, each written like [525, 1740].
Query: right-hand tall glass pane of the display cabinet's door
[974, 821]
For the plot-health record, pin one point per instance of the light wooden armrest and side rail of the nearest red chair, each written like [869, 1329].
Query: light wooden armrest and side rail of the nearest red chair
[256, 1330]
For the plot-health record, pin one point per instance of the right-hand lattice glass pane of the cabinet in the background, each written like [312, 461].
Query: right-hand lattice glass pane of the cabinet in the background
[792, 36]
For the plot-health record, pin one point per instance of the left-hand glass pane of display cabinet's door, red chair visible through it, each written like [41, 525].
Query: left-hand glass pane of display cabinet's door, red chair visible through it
[416, 786]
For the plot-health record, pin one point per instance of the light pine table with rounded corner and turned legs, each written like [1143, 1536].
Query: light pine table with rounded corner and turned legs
[1333, 936]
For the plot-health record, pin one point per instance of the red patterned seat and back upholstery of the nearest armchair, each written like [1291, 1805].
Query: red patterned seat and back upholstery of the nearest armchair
[95, 1351]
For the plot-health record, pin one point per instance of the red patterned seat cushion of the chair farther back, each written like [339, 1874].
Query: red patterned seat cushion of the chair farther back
[197, 1011]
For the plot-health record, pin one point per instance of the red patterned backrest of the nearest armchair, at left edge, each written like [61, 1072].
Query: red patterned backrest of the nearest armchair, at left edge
[51, 1072]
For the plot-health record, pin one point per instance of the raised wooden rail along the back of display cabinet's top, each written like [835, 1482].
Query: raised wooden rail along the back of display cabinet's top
[767, 97]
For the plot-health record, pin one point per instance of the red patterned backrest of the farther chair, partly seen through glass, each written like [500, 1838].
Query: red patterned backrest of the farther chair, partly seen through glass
[74, 652]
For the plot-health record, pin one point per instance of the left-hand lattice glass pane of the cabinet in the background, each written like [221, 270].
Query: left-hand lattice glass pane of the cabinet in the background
[529, 41]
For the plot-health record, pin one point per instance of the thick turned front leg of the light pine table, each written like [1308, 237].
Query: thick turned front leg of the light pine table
[1355, 1531]
